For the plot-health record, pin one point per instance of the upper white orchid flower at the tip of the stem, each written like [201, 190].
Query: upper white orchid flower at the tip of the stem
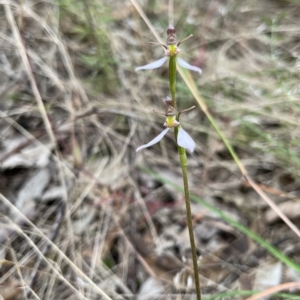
[170, 50]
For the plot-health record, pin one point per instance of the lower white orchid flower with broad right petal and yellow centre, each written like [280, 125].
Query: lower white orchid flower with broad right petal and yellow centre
[184, 140]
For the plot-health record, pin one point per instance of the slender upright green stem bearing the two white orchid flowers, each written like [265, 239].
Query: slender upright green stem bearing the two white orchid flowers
[183, 163]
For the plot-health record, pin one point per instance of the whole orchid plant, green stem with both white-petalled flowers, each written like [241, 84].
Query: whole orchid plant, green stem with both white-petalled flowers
[183, 139]
